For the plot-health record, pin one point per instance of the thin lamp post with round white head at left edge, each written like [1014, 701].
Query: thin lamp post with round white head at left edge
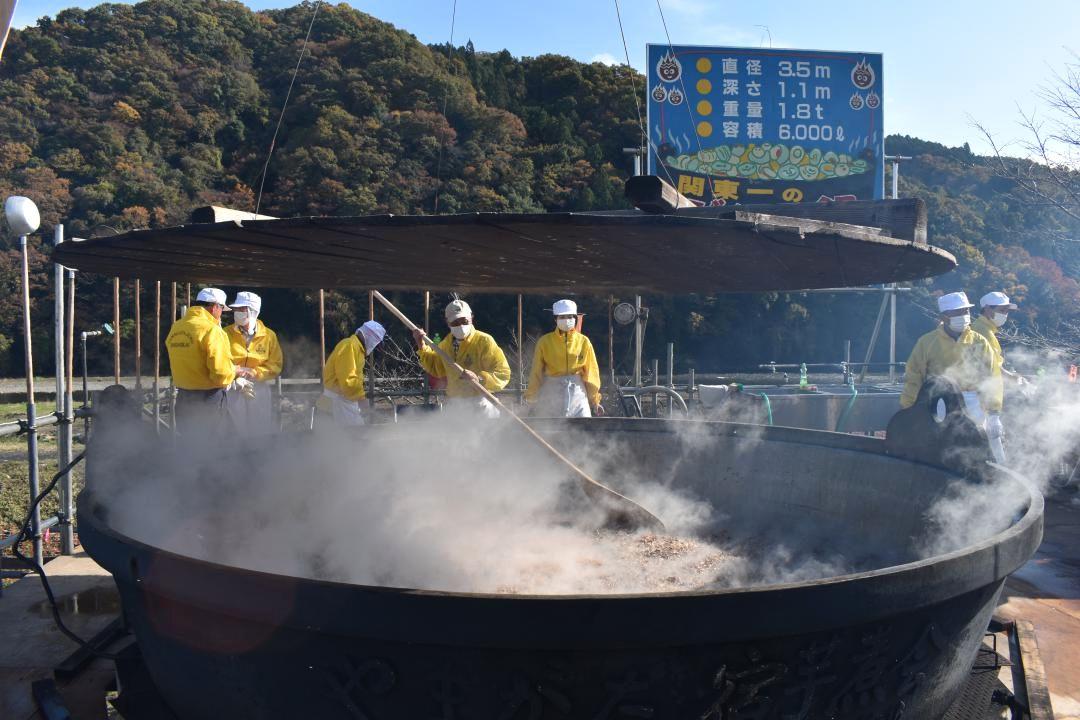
[23, 219]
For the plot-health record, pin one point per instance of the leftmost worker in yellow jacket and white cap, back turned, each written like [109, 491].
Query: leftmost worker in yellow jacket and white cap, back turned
[201, 364]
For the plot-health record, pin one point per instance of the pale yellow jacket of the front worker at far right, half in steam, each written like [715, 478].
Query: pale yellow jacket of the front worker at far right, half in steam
[968, 361]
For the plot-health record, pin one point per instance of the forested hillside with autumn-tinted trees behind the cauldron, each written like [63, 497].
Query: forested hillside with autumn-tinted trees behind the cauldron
[127, 117]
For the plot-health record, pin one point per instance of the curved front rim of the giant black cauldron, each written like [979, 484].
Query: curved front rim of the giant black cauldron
[1032, 515]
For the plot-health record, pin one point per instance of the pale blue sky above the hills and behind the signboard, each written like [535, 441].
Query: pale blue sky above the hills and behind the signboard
[949, 64]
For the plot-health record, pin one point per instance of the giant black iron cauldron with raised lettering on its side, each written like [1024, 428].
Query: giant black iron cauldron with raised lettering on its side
[893, 643]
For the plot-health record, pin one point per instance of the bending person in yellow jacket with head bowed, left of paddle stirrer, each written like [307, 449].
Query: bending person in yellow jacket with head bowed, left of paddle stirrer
[344, 374]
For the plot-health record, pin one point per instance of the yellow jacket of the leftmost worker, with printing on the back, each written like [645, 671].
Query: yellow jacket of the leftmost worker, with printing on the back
[199, 355]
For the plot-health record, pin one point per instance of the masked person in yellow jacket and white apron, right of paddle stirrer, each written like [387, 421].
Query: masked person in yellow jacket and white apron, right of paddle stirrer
[565, 381]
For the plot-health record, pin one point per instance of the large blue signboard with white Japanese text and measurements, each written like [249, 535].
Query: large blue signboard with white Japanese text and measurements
[746, 126]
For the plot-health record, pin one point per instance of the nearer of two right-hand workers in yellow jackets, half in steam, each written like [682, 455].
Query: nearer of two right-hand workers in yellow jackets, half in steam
[956, 352]
